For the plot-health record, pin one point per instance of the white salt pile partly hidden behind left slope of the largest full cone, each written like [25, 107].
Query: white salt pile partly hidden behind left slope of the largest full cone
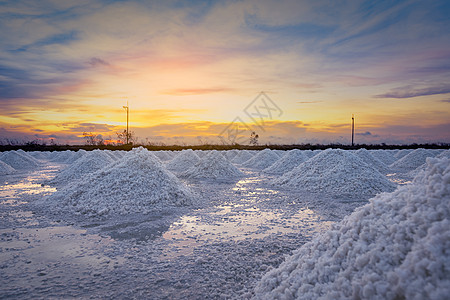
[89, 163]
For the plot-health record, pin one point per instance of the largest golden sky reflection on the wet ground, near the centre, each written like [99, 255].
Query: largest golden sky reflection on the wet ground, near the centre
[239, 222]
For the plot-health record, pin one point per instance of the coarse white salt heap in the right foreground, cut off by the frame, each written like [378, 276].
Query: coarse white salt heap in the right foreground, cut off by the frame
[395, 247]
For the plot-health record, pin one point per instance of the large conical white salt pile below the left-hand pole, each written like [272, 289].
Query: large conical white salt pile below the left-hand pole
[138, 183]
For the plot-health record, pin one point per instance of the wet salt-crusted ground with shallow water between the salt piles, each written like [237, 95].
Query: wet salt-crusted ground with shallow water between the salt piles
[218, 249]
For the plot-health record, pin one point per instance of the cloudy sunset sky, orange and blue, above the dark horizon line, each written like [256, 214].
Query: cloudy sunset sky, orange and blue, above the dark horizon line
[195, 72]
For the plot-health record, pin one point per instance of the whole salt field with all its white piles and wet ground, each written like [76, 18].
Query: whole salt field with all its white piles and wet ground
[233, 224]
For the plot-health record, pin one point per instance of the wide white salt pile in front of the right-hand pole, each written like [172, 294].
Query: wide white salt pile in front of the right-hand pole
[337, 172]
